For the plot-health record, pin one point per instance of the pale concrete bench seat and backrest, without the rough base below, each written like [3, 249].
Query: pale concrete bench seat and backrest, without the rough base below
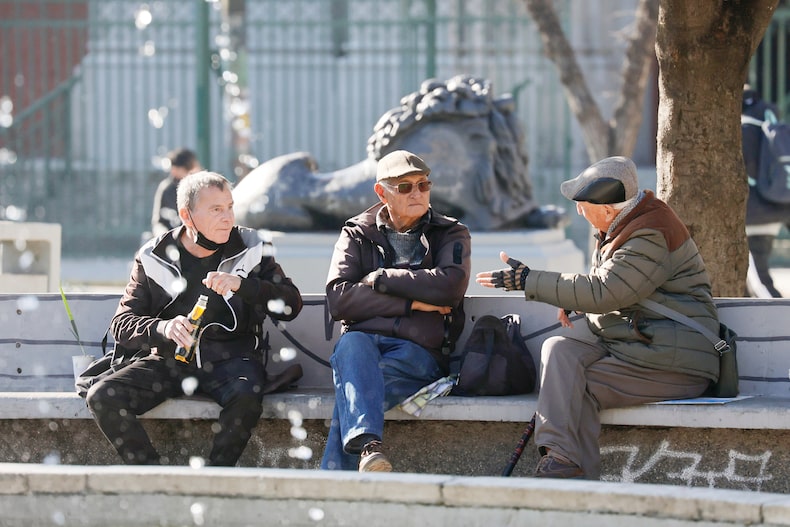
[36, 378]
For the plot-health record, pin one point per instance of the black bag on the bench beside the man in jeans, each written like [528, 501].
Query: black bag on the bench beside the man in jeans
[495, 359]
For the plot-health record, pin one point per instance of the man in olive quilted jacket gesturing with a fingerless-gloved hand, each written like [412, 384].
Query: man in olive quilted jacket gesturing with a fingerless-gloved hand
[643, 251]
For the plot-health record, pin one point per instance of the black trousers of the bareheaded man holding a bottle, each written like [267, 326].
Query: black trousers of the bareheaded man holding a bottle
[236, 384]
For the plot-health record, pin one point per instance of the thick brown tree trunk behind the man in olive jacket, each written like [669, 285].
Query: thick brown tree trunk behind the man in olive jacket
[704, 48]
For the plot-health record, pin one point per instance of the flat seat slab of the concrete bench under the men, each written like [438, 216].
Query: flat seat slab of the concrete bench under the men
[750, 413]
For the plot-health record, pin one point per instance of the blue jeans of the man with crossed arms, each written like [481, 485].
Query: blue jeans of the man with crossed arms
[372, 374]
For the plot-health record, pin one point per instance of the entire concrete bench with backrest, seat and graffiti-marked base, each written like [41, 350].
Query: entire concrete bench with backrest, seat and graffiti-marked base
[36, 393]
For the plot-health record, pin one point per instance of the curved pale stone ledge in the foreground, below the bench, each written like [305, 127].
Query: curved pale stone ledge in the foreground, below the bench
[41, 494]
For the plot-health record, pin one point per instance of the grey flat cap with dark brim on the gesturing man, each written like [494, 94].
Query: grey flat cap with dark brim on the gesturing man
[610, 180]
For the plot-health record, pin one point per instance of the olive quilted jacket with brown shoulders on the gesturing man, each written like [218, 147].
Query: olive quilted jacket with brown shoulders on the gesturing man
[649, 255]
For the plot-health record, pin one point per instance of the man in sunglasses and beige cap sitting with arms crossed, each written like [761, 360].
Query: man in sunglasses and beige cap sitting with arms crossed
[397, 281]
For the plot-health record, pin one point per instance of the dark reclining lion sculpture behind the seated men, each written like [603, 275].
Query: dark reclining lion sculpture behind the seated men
[472, 141]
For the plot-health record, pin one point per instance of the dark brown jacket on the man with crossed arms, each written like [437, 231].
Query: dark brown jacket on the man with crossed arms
[386, 308]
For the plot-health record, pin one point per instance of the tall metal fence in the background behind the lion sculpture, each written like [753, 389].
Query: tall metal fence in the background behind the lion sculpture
[93, 93]
